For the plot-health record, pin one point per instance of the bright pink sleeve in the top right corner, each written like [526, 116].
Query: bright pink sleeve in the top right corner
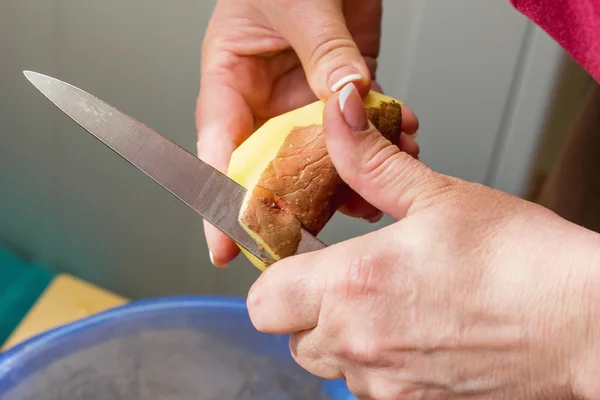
[574, 24]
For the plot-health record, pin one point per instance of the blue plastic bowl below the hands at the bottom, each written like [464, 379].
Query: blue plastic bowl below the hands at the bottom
[200, 348]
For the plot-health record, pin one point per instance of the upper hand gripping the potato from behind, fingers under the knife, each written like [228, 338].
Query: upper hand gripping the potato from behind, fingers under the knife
[263, 58]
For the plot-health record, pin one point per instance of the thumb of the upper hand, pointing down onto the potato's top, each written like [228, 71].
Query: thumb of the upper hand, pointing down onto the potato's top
[317, 32]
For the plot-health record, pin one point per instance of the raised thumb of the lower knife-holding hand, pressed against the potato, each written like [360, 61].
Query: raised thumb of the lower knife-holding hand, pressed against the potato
[386, 177]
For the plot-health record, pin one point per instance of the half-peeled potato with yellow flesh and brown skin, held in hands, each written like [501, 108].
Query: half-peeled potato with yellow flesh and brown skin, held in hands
[290, 179]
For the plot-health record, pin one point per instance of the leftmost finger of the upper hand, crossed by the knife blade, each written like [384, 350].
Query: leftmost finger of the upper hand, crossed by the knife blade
[221, 125]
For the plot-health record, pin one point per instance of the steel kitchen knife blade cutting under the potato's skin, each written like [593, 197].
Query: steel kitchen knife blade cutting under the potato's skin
[213, 195]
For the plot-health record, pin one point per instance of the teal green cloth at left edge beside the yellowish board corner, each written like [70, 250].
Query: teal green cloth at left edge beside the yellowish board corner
[21, 284]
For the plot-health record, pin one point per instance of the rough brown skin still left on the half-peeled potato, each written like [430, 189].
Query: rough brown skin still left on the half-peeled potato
[300, 187]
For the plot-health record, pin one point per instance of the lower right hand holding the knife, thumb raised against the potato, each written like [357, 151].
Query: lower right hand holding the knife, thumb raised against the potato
[472, 294]
